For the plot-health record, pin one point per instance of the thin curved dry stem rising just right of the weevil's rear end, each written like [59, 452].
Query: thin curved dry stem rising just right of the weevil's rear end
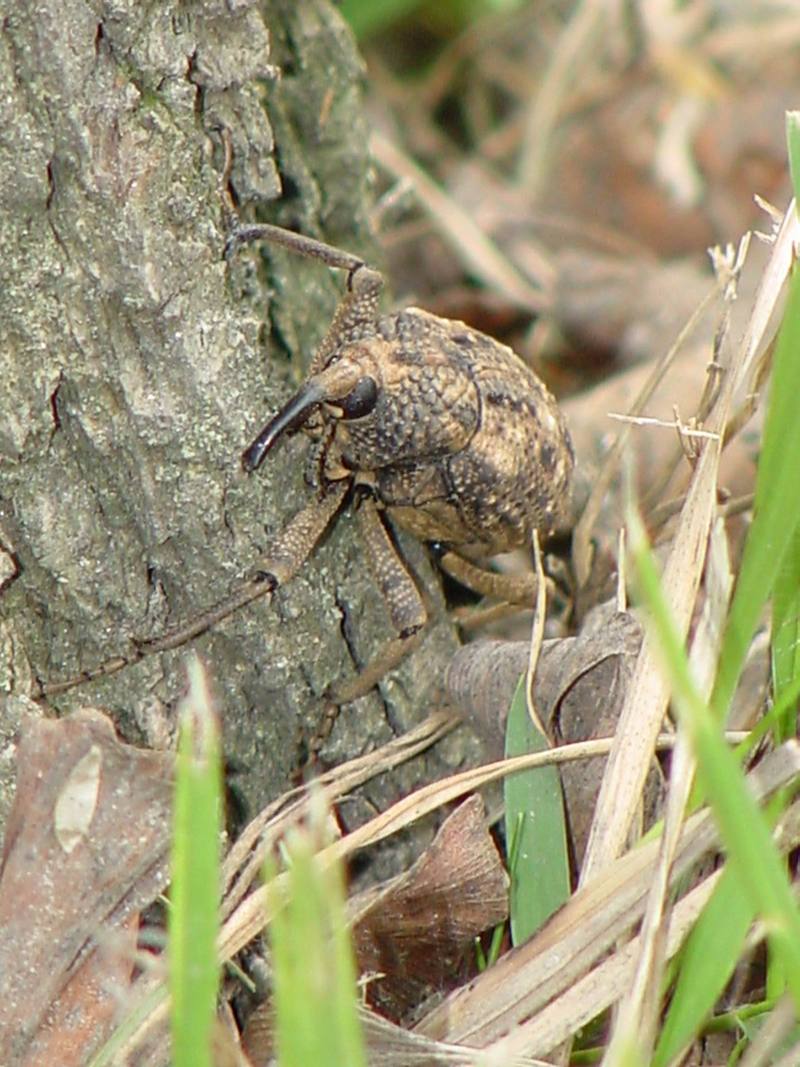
[585, 528]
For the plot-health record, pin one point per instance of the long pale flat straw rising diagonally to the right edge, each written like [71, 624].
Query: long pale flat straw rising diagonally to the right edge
[646, 703]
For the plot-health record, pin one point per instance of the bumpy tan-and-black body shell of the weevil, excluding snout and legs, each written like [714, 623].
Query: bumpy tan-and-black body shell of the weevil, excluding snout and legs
[466, 444]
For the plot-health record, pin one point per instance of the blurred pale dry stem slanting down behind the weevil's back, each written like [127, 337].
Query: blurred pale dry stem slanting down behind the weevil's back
[478, 252]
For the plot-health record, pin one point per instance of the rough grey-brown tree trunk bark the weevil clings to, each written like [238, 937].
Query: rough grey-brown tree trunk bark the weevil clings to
[136, 364]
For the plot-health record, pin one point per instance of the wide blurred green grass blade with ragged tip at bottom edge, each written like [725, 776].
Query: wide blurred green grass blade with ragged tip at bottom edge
[315, 989]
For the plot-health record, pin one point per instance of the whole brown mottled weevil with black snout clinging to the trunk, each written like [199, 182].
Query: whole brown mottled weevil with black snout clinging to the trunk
[425, 424]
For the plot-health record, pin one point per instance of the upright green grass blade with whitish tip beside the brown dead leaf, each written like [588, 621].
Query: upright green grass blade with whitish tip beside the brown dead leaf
[194, 917]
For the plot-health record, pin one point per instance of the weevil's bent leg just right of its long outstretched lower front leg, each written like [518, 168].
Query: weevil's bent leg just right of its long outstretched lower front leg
[407, 610]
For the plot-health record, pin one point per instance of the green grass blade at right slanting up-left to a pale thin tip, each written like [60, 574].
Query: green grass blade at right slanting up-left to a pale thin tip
[743, 826]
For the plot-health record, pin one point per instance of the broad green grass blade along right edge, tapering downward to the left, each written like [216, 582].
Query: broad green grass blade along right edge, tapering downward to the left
[777, 508]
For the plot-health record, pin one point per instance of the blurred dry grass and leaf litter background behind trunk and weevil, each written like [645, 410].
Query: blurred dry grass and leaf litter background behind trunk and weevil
[548, 170]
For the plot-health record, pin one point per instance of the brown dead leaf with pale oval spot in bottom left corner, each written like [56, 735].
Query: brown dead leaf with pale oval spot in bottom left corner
[86, 849]
